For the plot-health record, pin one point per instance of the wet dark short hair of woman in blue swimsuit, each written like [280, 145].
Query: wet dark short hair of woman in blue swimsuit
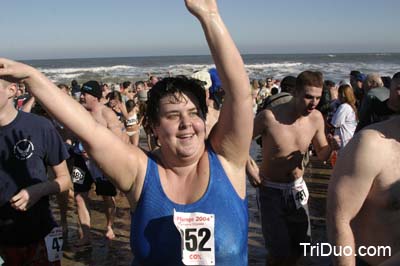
[174, 87]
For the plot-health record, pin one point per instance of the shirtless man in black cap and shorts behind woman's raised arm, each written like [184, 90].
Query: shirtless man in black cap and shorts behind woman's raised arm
[90, 96]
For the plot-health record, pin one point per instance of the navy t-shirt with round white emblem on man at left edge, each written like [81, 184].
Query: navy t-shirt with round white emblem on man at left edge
[28, 145]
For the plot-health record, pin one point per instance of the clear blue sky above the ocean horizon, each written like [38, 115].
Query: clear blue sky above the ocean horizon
[105, 28]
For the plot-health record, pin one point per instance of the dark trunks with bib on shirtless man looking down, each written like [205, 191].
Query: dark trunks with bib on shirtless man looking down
[285, 223]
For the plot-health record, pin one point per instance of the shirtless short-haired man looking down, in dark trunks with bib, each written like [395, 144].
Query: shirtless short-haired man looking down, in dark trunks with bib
[287, 131]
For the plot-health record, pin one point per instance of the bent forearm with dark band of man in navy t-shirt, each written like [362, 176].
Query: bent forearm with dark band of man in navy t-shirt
[28, 196]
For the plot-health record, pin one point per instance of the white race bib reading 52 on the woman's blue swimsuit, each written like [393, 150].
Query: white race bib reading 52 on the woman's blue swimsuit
[197, 237]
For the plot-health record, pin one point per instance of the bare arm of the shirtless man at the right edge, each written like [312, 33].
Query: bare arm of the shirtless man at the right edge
[353, 170]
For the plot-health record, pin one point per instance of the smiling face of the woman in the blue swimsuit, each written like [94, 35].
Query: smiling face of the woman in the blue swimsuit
[181, 129]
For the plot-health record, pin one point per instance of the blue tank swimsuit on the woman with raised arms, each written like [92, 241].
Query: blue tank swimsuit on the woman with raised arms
[156, 241]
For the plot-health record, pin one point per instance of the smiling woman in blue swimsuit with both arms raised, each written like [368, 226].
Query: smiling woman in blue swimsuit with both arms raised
[190, 193]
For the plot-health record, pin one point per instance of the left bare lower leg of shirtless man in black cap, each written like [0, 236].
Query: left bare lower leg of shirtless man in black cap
[82, 199]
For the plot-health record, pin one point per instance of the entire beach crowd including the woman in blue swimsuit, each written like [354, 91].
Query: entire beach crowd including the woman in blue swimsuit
[187, 190]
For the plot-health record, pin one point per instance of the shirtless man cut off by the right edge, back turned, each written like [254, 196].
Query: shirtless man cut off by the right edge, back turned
[364, 193]
